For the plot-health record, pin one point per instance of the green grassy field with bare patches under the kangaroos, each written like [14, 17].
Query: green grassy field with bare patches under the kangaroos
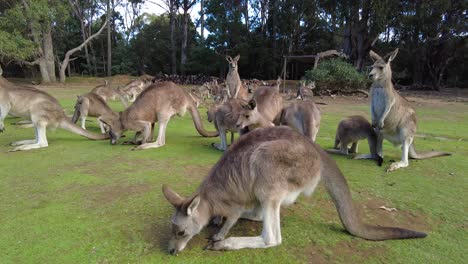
[82, 201]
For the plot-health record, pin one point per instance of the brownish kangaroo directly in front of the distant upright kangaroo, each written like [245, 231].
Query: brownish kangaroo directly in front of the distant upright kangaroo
[224, 118]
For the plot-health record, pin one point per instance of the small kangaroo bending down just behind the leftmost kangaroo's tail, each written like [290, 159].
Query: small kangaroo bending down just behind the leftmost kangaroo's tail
[91, 104]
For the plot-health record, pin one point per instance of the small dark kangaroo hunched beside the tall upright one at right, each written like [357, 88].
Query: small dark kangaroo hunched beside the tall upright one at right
[350, 131]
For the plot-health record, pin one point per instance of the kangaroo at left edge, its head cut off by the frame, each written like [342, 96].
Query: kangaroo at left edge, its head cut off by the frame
[41, 108]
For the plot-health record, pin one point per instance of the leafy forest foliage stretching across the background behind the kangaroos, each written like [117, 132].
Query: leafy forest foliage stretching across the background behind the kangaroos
[431, 36]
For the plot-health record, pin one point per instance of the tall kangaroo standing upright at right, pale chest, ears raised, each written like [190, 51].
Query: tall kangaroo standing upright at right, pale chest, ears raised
[392, 114]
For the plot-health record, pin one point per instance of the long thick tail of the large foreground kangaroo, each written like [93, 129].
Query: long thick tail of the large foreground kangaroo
[338, 189]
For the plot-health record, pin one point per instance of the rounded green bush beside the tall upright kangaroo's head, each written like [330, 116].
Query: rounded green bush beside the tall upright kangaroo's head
[337, 72]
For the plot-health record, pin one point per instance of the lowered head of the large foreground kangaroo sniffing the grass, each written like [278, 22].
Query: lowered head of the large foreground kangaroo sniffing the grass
[187, 221]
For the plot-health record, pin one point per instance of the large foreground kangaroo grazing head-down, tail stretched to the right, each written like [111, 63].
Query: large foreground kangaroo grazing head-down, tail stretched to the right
[263, 170]
